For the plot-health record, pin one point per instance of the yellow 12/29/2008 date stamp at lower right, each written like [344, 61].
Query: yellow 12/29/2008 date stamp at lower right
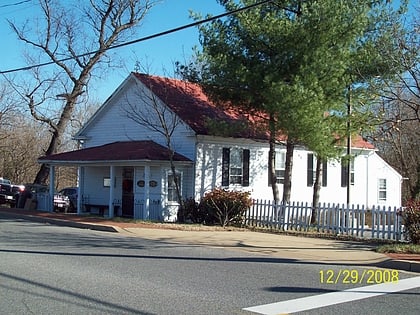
[354, 276]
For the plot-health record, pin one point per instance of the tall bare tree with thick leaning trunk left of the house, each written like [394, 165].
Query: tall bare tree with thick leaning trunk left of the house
[76, 40]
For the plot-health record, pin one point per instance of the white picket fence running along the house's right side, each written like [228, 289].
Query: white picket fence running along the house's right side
[338, 219]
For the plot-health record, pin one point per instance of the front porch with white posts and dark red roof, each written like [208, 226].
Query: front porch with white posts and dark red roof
[132, 179]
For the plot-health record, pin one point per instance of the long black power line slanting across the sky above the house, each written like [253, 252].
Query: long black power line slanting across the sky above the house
[173, 30]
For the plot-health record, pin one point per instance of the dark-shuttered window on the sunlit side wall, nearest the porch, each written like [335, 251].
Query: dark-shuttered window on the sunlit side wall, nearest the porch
[235, 167]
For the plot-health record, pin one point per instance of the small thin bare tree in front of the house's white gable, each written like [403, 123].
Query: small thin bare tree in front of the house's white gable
[148, 111]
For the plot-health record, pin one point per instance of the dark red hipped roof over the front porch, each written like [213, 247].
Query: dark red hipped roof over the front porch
[122, 151]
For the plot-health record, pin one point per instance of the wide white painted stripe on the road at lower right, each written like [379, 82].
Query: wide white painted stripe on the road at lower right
[327, 299]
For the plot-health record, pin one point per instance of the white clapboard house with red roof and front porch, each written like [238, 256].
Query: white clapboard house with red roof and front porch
[125, 170]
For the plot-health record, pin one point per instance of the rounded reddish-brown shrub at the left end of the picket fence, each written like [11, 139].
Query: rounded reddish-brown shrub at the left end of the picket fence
[224, 207]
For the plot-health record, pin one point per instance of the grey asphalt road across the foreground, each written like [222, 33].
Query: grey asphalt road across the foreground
[46, 269]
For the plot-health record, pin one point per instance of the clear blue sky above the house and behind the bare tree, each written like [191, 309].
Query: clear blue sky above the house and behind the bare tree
[156, 55]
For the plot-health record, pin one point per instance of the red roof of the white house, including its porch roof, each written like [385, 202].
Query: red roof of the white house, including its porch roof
[190, 103]
